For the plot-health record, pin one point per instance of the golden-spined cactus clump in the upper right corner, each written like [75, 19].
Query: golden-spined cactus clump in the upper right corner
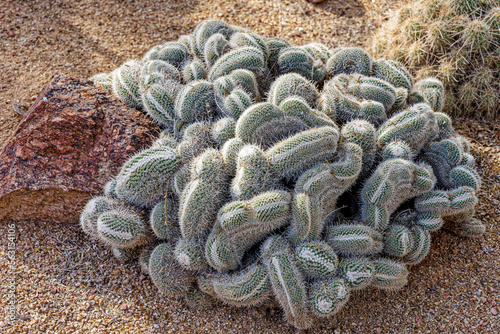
[456, 41]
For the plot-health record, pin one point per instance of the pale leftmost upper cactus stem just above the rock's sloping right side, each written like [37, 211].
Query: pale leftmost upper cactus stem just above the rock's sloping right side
[125, 82]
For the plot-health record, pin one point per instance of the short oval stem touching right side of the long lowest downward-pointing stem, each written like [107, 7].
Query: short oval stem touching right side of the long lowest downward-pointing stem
[316, 259]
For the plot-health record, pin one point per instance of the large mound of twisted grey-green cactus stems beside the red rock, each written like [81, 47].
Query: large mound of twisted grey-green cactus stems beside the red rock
[300, 174]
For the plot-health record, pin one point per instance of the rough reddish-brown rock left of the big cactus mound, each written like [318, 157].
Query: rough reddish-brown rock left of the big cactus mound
[70, 143]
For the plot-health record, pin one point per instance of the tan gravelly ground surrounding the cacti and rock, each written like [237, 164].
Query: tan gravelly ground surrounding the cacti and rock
[66, 283]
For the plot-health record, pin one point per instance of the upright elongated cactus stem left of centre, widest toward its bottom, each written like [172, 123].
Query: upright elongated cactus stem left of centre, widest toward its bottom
[203, 195]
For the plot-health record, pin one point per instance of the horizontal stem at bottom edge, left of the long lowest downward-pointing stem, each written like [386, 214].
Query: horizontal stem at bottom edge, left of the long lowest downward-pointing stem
[249, 287]
